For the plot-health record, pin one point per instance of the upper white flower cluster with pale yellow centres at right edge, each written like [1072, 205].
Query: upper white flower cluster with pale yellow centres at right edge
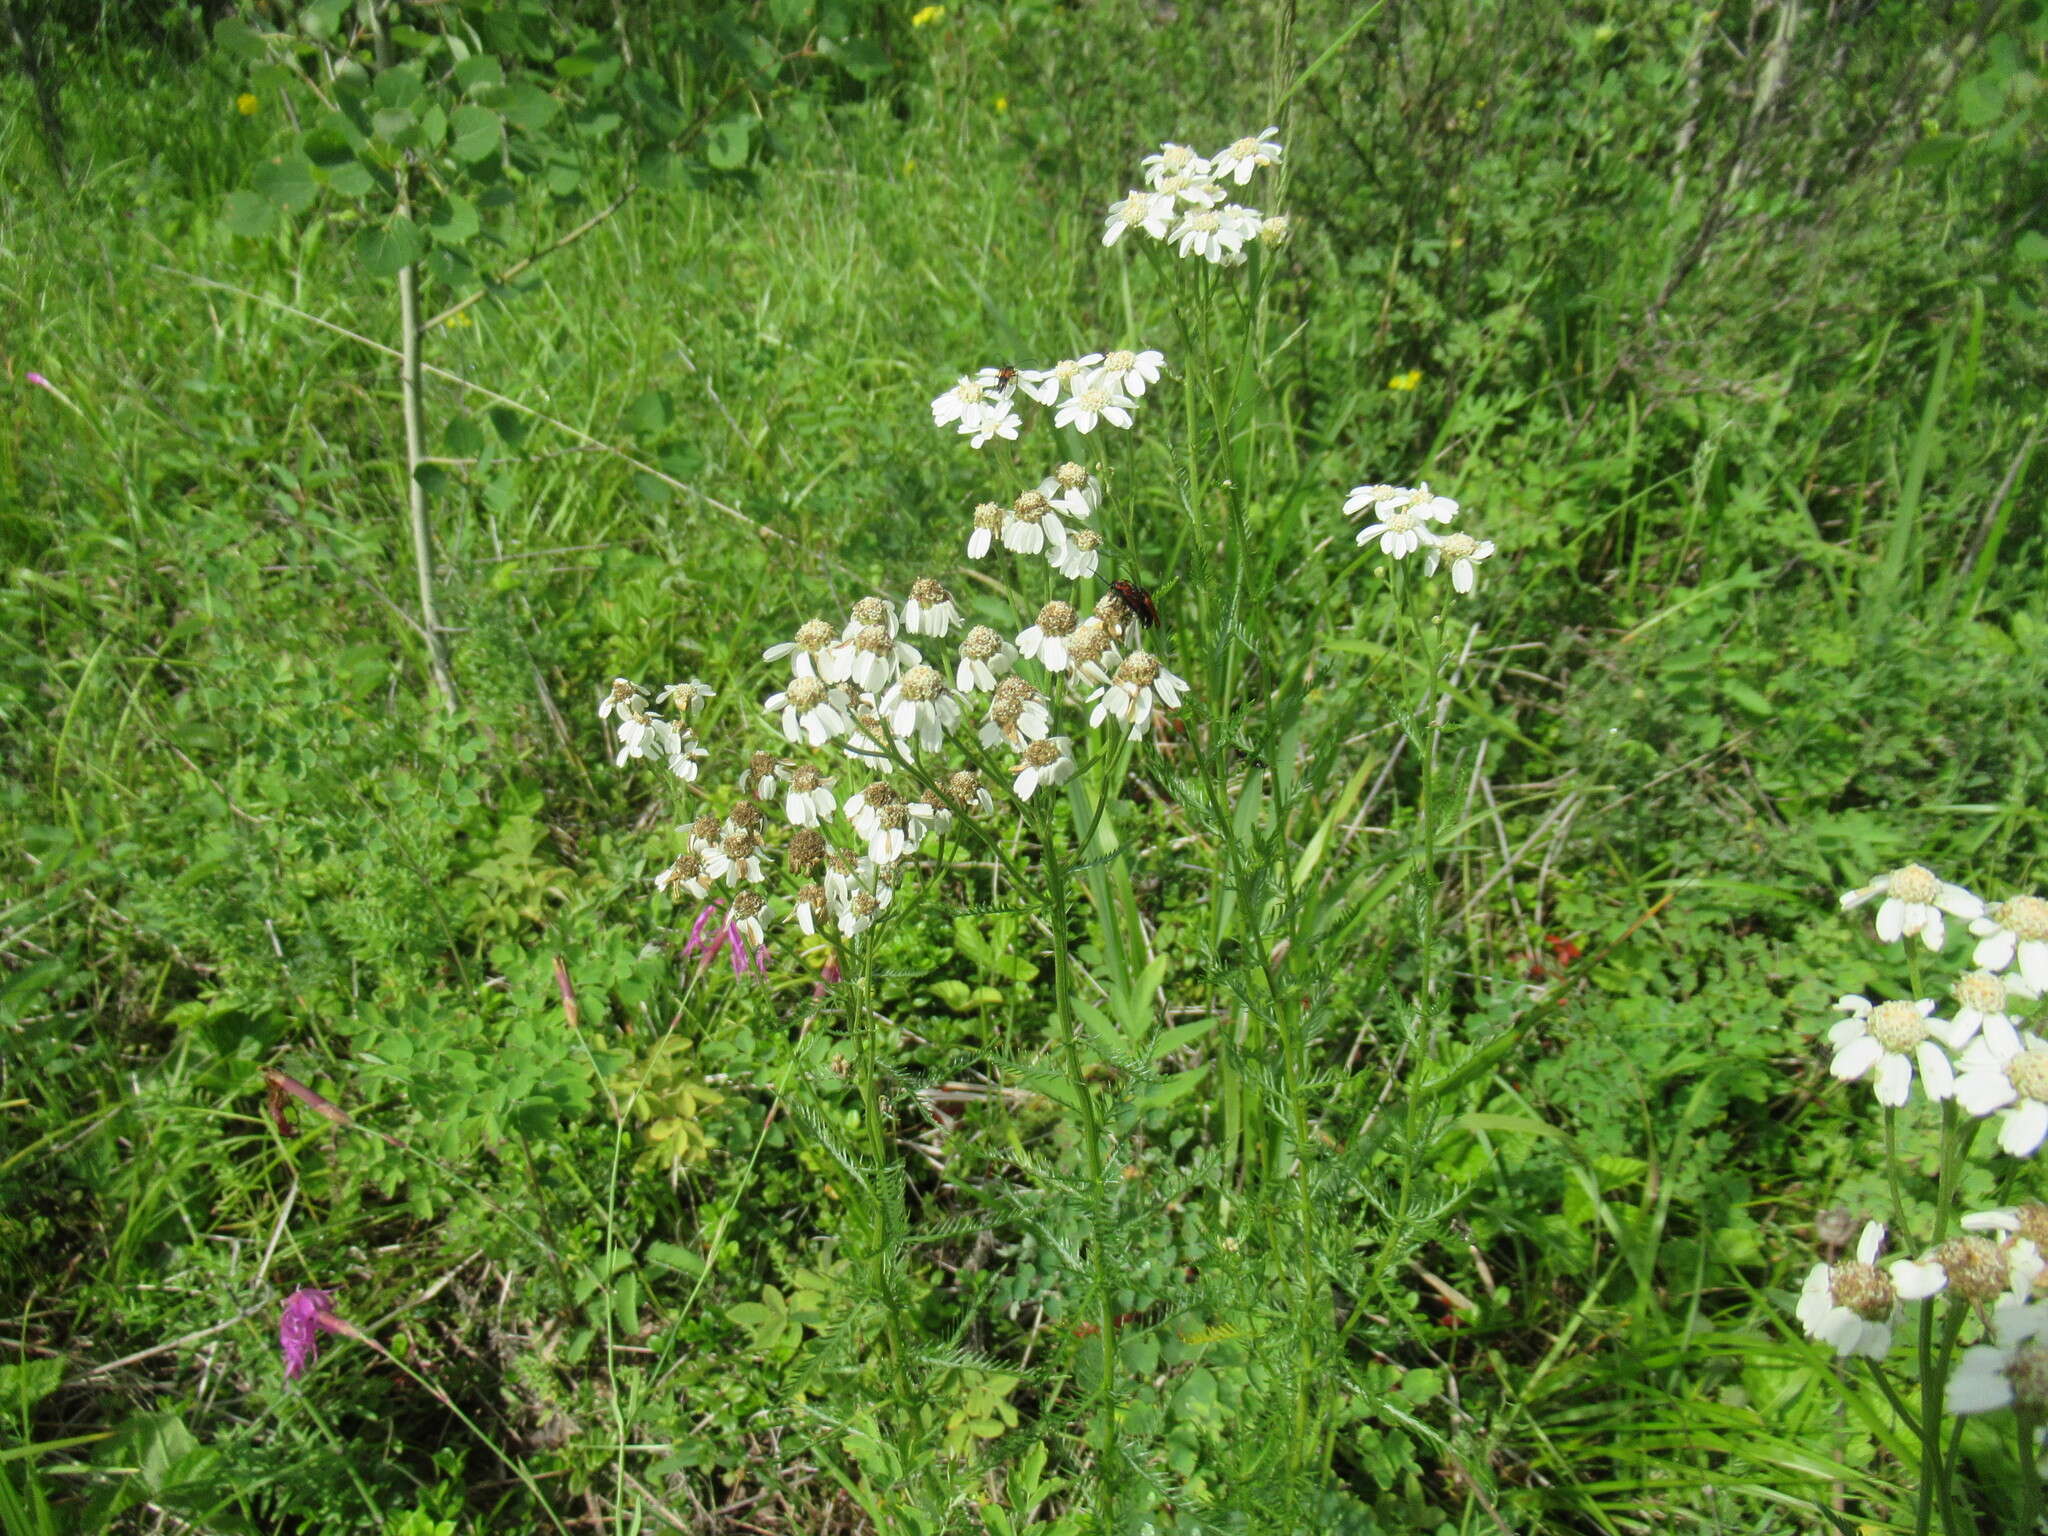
[1998, 1066]
